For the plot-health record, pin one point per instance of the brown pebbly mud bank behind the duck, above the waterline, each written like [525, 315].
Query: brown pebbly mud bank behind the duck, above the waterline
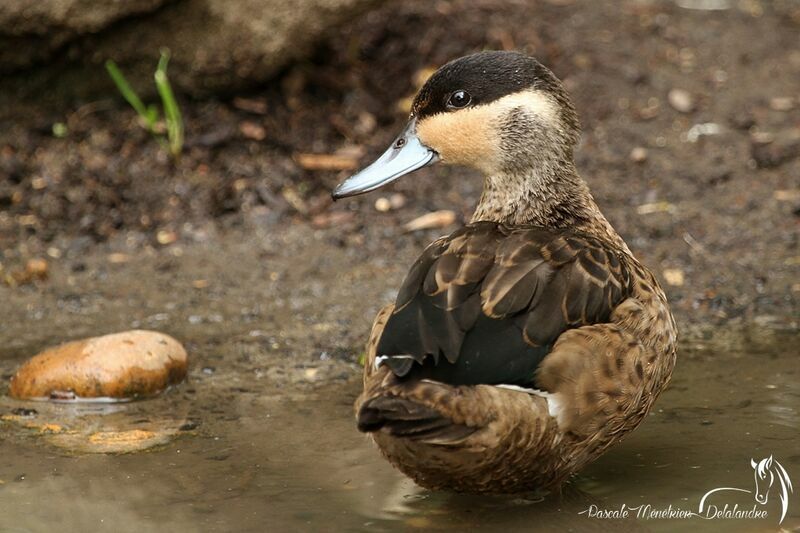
[691, 145]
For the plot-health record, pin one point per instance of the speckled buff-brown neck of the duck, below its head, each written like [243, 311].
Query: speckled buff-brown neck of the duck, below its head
[552, 195]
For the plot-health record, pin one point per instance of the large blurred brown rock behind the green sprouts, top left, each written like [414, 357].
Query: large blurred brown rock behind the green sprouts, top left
[216, 46]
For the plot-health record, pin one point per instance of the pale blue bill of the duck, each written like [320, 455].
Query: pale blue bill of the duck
[405, 155]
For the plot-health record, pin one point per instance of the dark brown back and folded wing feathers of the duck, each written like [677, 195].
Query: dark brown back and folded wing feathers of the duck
[487, 303]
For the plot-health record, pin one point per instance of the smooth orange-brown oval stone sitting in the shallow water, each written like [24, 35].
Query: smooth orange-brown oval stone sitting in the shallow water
[121, 366]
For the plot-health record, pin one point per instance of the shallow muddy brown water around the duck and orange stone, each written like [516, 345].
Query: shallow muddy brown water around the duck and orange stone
[248, 453]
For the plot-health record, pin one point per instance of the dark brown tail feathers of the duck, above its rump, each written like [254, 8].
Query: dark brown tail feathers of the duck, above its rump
[407, 418]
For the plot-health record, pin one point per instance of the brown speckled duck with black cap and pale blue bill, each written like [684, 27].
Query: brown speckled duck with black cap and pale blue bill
[526, 343]
